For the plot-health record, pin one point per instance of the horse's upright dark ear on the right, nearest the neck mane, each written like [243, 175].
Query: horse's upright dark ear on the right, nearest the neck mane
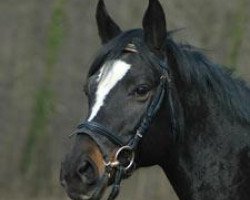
[154, 26]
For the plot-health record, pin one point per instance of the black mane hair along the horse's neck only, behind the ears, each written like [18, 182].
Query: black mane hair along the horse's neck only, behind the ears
[209, 78]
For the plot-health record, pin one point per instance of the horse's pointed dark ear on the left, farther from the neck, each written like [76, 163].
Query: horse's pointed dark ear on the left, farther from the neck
[107, 28]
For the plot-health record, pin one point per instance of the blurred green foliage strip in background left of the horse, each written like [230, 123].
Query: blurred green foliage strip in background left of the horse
[44, 97]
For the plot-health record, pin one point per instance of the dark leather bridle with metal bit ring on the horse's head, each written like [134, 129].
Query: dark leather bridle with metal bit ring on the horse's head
[123, 161]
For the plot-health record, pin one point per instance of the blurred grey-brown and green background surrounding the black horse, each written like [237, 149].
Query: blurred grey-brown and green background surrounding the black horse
[46, 48]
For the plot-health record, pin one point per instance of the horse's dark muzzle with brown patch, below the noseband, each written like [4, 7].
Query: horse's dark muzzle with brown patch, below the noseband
[81, 170]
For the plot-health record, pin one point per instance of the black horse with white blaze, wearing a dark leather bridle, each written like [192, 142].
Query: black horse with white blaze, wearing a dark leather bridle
[155, 102]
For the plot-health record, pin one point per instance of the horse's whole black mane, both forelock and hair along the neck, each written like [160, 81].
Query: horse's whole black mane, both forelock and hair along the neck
[194, 68]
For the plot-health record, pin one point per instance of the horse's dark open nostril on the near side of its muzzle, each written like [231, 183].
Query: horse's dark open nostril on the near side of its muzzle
[86, 171]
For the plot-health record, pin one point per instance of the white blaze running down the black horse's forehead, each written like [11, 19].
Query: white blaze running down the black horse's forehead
[110, 74]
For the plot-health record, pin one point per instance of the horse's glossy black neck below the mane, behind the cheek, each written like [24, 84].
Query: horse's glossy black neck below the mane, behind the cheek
[208, 163]
